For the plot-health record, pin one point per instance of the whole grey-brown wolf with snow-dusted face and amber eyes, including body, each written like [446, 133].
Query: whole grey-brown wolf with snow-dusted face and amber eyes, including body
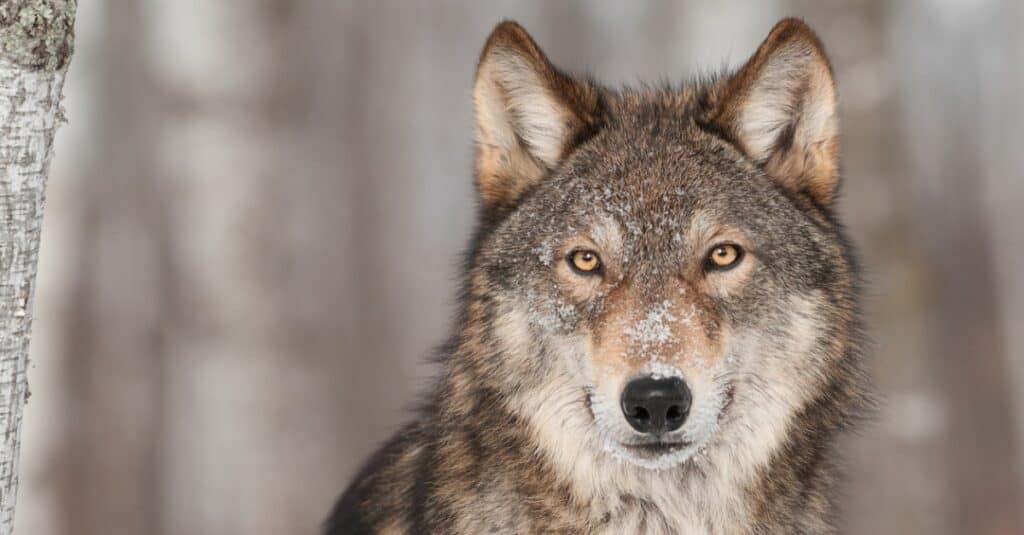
[660, 330]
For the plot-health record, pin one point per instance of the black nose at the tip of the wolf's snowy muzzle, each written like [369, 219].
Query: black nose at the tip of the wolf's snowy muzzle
[656, 406]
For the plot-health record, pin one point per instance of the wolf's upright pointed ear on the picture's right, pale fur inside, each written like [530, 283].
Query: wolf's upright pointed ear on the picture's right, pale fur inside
[781, 108]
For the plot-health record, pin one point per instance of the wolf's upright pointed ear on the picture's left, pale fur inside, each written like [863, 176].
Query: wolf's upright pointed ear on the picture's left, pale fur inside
[529, 116]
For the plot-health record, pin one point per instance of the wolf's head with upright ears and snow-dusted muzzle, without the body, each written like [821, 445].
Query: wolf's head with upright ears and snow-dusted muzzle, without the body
[660, 273]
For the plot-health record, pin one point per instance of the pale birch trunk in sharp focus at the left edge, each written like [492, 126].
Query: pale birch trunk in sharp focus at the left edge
[35, 48]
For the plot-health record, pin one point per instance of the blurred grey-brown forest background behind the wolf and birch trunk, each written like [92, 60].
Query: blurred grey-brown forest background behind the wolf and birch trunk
[257, 214]
